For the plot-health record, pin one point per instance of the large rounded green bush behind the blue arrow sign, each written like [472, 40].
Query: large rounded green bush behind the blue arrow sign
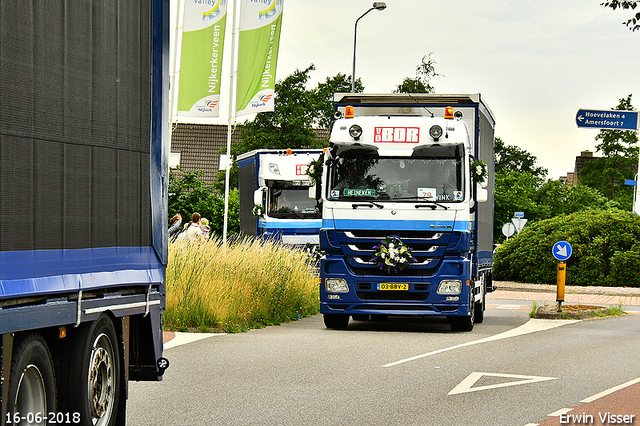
[606, 250]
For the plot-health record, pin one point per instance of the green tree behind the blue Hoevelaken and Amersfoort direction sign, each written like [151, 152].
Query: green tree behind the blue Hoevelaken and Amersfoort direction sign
[618, 163]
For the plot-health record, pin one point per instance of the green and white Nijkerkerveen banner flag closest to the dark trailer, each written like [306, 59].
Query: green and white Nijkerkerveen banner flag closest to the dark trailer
[200, 68]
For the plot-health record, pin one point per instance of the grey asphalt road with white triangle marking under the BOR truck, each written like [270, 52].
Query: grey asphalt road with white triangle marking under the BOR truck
[507, 371]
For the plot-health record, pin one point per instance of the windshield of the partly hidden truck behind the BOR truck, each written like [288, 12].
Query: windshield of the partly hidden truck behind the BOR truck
[292, 203]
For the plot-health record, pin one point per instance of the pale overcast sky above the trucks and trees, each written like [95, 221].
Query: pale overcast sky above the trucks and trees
[535, 62]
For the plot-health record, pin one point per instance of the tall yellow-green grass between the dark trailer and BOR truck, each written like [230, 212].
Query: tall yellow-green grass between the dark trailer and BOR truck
[241, 285]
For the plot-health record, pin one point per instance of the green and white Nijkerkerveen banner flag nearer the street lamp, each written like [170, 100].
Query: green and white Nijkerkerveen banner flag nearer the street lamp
[260, 24]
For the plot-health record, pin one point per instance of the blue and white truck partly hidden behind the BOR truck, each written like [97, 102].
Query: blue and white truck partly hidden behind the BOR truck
[274, 196]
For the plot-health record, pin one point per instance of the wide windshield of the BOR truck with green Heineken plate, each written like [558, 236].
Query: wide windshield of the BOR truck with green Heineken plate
[427, 178]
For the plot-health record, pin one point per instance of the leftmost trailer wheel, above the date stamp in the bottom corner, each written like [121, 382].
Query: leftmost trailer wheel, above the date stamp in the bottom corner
[32, 388]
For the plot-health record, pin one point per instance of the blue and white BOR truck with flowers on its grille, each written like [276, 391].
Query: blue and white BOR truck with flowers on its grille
[407, 208]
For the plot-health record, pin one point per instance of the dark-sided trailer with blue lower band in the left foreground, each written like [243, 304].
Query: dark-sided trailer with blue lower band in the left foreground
[84, 130]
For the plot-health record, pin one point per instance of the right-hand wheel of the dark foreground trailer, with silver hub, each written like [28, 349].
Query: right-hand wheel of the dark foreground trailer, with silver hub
[95, 374]
